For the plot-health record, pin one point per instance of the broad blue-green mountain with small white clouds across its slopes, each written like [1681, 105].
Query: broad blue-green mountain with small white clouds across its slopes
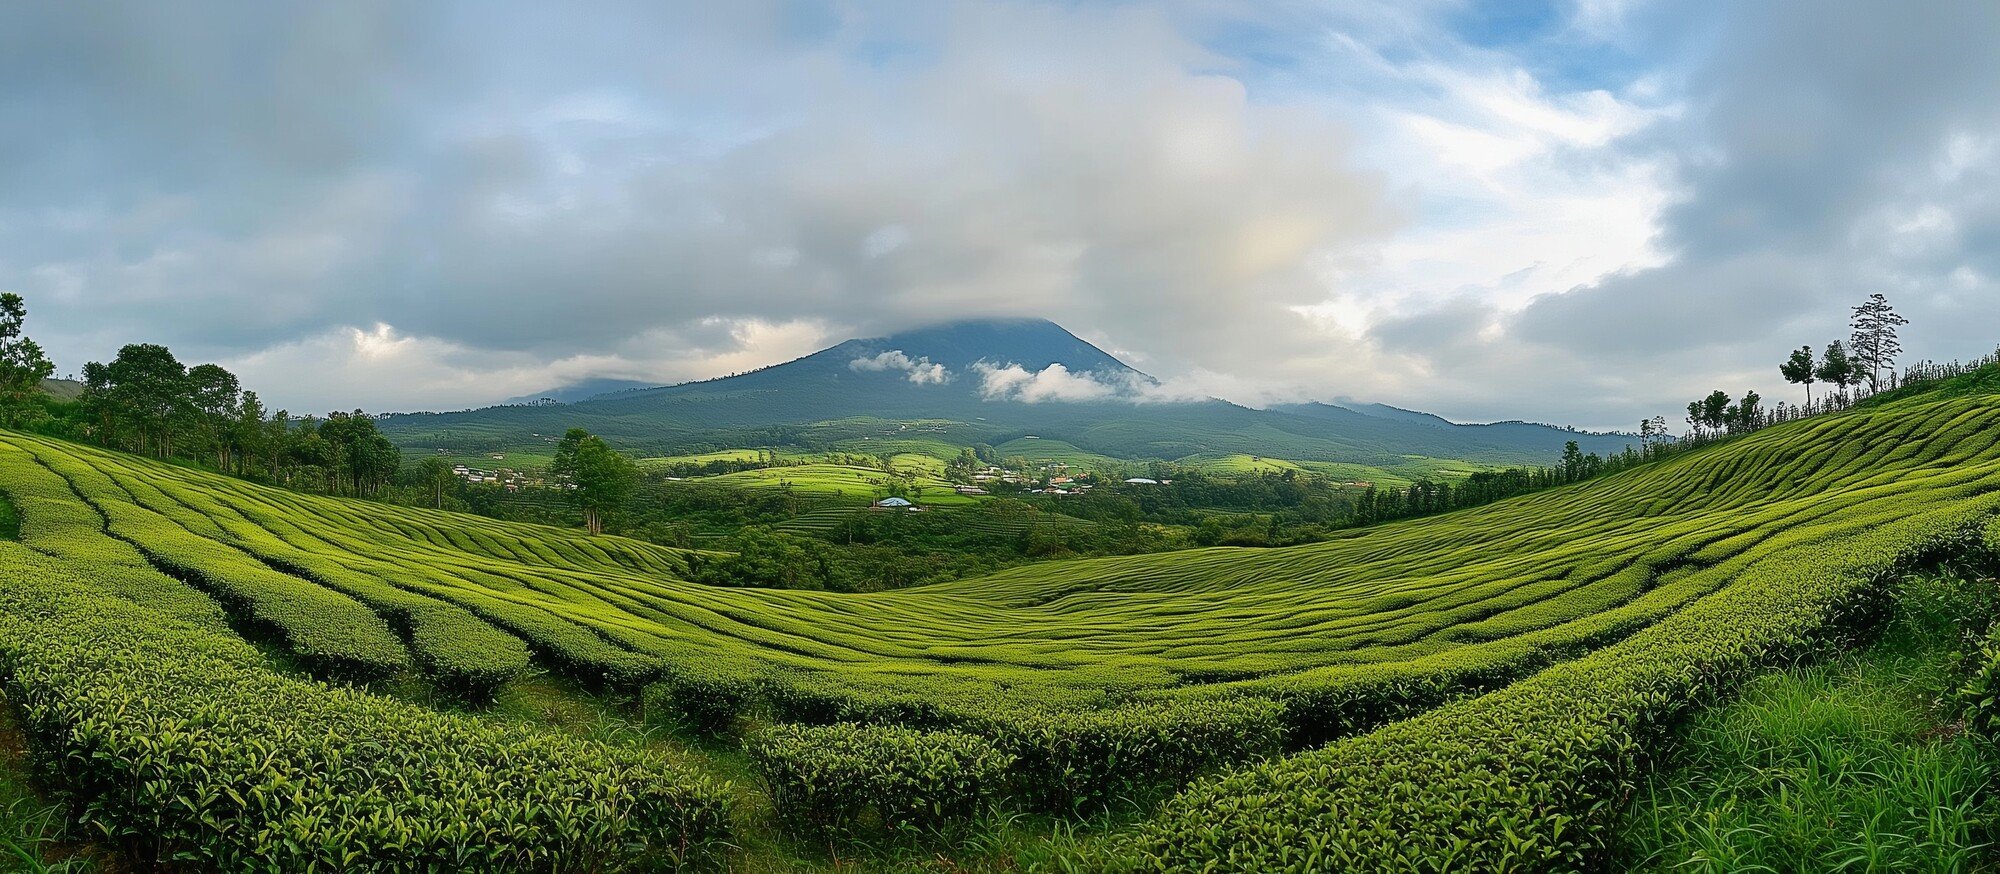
[985, 381]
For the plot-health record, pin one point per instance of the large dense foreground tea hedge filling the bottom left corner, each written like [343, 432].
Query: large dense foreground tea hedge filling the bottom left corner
[175, 747]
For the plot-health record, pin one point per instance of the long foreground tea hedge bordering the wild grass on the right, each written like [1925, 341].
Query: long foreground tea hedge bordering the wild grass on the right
[1531, 777]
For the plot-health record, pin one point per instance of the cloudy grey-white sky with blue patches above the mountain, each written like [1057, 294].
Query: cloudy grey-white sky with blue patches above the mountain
[1577, 213]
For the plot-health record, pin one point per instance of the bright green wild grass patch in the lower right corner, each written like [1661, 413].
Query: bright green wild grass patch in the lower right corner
[1853, 765]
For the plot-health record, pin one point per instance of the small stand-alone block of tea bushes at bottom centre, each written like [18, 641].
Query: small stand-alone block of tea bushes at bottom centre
[847, 781]
